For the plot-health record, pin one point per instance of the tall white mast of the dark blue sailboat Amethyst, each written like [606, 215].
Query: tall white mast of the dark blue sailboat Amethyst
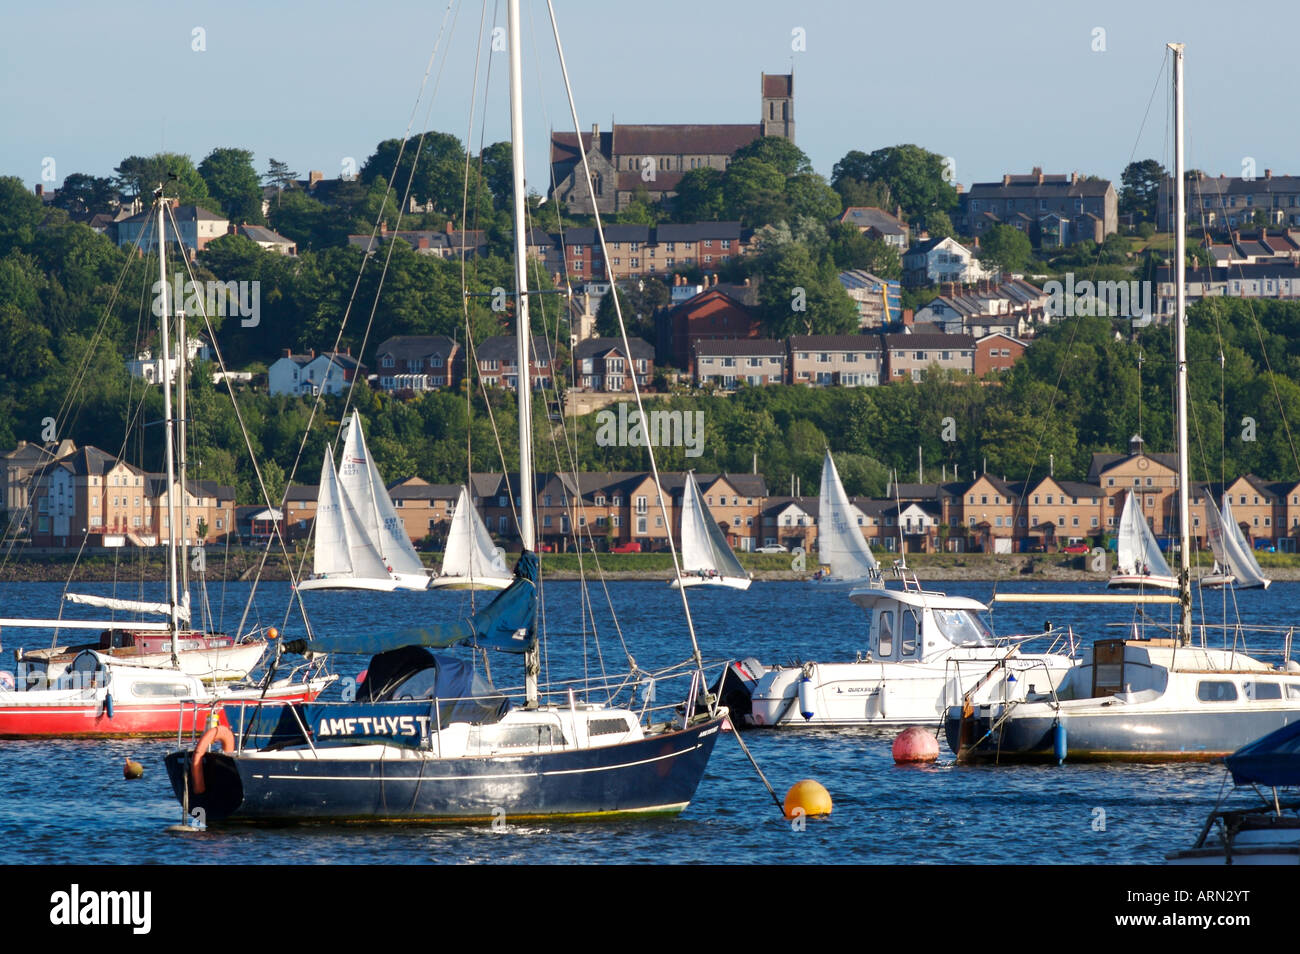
[523, 329]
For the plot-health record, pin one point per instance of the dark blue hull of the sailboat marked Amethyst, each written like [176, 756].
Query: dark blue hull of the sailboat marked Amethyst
[657, 775]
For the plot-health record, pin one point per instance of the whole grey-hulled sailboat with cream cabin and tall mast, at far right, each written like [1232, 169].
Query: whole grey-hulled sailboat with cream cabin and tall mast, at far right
[1145, 699]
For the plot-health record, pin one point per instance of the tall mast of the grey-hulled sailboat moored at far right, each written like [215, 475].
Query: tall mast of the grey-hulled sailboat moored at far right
[1185, 567]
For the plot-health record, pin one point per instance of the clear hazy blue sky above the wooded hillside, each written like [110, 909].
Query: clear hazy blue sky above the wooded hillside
[1000, 88]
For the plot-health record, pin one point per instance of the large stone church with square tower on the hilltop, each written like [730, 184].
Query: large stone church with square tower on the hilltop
[649, 161]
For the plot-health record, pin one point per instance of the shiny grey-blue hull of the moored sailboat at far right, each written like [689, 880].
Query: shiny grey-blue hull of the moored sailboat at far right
[1120, 735]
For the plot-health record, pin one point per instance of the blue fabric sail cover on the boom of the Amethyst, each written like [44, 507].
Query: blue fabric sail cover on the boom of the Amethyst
[506, 625]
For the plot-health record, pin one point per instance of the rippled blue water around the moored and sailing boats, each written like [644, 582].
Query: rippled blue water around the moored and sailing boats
[67, 803]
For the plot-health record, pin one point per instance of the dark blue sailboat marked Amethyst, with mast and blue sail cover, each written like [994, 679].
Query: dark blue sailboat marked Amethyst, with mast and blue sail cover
[428, 738]
